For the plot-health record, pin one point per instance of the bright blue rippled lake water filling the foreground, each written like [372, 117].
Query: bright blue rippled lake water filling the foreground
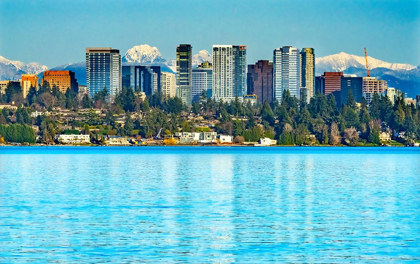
[209, 204]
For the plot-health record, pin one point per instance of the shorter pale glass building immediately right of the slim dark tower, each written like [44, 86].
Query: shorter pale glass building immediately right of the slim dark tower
[202, 80]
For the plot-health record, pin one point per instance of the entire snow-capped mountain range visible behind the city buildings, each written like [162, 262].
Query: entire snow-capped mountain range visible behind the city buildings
[405, 77]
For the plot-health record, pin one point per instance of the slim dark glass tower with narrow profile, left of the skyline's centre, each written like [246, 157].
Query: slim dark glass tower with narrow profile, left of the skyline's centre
[184, 72]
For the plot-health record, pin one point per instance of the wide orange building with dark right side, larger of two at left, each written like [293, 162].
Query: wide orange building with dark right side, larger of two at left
[63, 80]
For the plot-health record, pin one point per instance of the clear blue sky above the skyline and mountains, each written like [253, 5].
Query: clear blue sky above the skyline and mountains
[57, 32]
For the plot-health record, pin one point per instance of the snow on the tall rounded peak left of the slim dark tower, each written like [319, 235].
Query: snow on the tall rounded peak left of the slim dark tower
[144, 54]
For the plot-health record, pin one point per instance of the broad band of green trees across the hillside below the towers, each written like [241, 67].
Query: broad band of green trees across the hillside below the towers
[290, 121]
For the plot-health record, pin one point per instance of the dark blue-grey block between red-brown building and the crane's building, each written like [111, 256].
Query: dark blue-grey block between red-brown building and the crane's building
[355, 84]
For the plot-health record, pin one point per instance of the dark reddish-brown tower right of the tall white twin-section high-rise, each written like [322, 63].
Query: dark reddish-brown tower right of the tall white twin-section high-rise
[260, 80]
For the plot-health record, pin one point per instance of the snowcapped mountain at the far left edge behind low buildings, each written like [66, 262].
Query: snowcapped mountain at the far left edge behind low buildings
[12, 70]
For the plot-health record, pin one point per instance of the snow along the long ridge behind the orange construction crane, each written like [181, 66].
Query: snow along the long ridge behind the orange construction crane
[343, 61]
